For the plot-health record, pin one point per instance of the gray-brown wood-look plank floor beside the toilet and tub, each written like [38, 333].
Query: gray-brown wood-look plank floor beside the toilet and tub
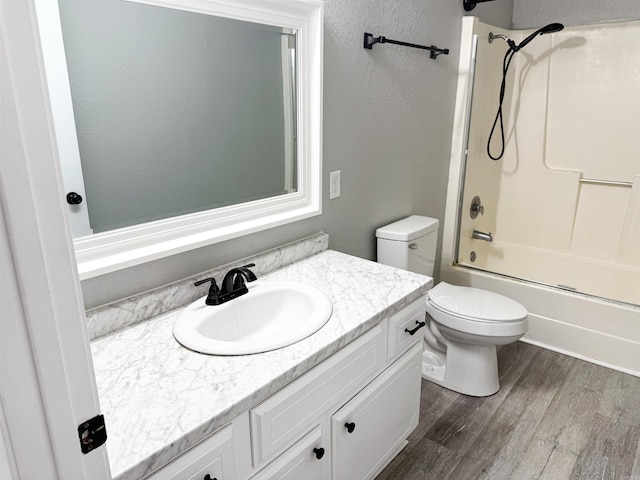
[555, 417]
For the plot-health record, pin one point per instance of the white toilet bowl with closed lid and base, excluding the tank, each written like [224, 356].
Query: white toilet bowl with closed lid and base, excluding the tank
[465, 325]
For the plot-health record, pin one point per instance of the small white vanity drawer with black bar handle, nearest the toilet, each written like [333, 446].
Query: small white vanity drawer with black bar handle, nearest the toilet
[402, 324]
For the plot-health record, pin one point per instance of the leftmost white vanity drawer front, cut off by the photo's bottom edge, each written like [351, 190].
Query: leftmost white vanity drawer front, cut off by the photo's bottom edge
[213, 457]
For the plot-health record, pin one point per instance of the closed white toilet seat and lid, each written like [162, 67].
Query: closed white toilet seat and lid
[476, 311]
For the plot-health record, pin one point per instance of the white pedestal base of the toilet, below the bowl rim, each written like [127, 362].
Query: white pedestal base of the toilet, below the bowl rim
[468, 369]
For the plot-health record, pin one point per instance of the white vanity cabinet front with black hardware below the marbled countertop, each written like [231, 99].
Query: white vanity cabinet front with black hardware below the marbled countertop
[345, 419]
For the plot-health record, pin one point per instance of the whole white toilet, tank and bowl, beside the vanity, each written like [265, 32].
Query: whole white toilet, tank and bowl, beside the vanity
[464, 325]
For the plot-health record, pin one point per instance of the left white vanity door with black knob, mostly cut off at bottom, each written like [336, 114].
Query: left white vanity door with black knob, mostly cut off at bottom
[300, 461]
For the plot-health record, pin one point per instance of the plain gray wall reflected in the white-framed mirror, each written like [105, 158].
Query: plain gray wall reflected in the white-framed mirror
[176, 112]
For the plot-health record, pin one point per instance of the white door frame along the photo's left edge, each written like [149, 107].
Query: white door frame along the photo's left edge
[46, 374]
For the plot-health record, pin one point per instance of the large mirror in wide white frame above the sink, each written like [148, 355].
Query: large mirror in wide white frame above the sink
[183, 124]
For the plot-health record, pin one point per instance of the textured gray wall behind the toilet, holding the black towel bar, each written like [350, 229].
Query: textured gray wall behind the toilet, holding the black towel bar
[388, 116]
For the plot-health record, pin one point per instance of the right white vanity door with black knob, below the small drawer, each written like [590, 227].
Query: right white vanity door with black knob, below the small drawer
[373, 426]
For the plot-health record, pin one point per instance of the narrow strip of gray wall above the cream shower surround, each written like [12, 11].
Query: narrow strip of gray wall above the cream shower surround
[535, 14]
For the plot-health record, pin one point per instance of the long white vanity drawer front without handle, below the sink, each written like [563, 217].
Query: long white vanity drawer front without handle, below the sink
[280, 420]
